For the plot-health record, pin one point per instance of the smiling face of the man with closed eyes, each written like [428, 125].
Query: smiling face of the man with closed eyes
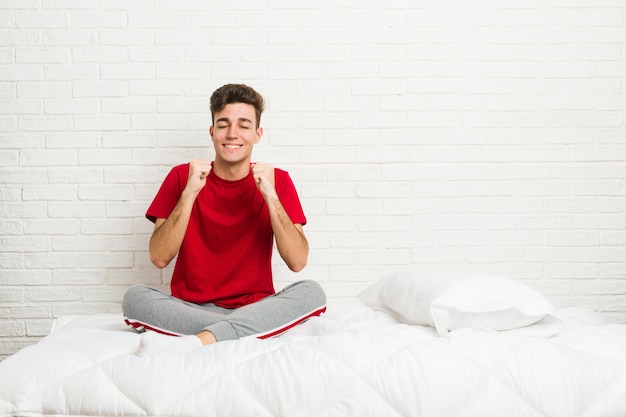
[234, 133]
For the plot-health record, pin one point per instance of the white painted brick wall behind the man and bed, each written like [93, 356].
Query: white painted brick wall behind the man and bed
[488, 135]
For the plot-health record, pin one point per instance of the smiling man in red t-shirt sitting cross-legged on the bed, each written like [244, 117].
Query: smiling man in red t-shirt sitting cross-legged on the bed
[220, 219]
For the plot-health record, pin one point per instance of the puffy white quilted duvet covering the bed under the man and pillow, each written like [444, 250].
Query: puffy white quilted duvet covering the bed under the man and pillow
[353, 361]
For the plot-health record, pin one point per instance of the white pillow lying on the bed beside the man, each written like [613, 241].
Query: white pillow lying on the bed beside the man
[451, 300]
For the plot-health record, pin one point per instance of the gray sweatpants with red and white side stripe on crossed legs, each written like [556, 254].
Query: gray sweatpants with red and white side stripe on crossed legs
[148, 308]
